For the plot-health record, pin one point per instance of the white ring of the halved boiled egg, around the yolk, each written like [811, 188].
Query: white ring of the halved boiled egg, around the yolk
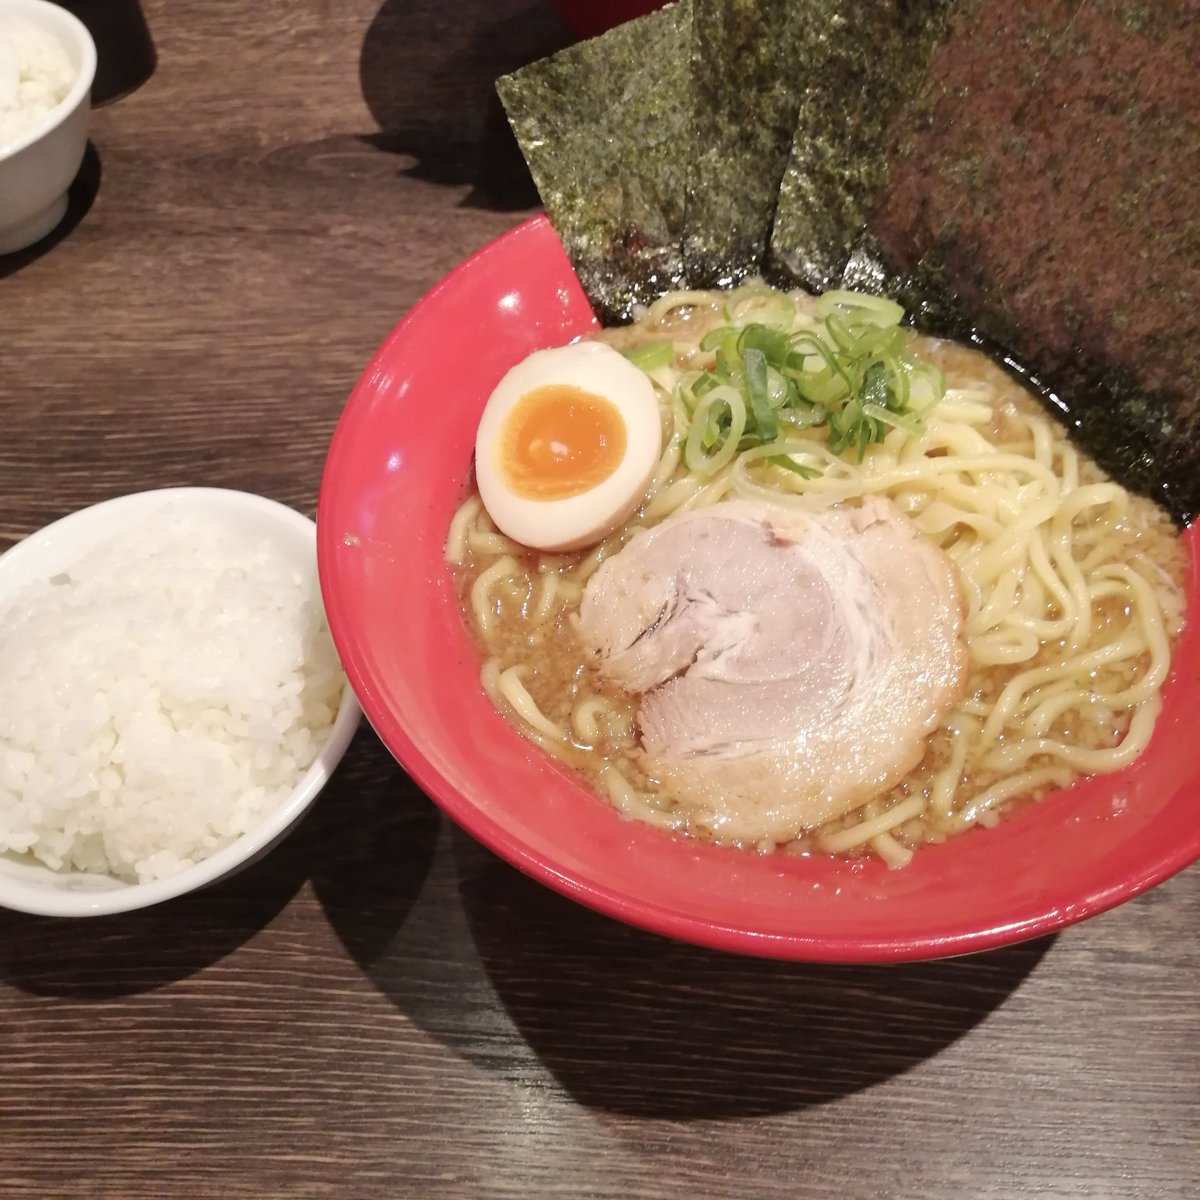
[578, 521]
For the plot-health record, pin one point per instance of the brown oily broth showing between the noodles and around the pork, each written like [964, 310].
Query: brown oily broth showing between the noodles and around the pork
[560, 675]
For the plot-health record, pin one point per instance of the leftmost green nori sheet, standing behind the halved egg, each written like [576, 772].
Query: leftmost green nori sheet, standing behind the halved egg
[605, 128]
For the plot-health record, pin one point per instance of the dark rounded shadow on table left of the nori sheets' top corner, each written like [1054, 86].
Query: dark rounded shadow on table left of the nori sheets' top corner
[429, 77]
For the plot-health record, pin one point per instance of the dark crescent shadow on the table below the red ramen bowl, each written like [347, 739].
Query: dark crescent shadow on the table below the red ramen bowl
[632, 1023]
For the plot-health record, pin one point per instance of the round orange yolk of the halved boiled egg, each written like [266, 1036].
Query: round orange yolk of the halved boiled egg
[560, 441]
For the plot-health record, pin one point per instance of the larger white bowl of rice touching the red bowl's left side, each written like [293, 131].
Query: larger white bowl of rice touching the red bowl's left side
[171, 701]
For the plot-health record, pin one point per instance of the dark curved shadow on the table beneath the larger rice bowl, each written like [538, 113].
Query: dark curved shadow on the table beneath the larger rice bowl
[356, 819]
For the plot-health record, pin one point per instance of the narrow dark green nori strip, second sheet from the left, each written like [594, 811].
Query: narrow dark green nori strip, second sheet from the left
[747, 57]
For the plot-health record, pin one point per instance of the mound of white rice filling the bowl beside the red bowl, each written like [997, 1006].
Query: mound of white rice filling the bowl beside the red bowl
[159, 699]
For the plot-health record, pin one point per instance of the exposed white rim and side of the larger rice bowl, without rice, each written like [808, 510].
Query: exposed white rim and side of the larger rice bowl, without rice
[74, 535]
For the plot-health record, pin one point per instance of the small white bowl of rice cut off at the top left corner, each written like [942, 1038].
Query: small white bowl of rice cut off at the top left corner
[47, 65]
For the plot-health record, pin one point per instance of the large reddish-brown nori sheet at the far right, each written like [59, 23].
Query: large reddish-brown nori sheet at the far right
[1052, 193]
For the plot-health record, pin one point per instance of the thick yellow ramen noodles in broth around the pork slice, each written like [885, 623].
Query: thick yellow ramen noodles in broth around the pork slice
[1070, 622]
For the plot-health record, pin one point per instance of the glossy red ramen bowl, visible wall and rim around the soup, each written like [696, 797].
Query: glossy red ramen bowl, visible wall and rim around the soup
[398, 469]
